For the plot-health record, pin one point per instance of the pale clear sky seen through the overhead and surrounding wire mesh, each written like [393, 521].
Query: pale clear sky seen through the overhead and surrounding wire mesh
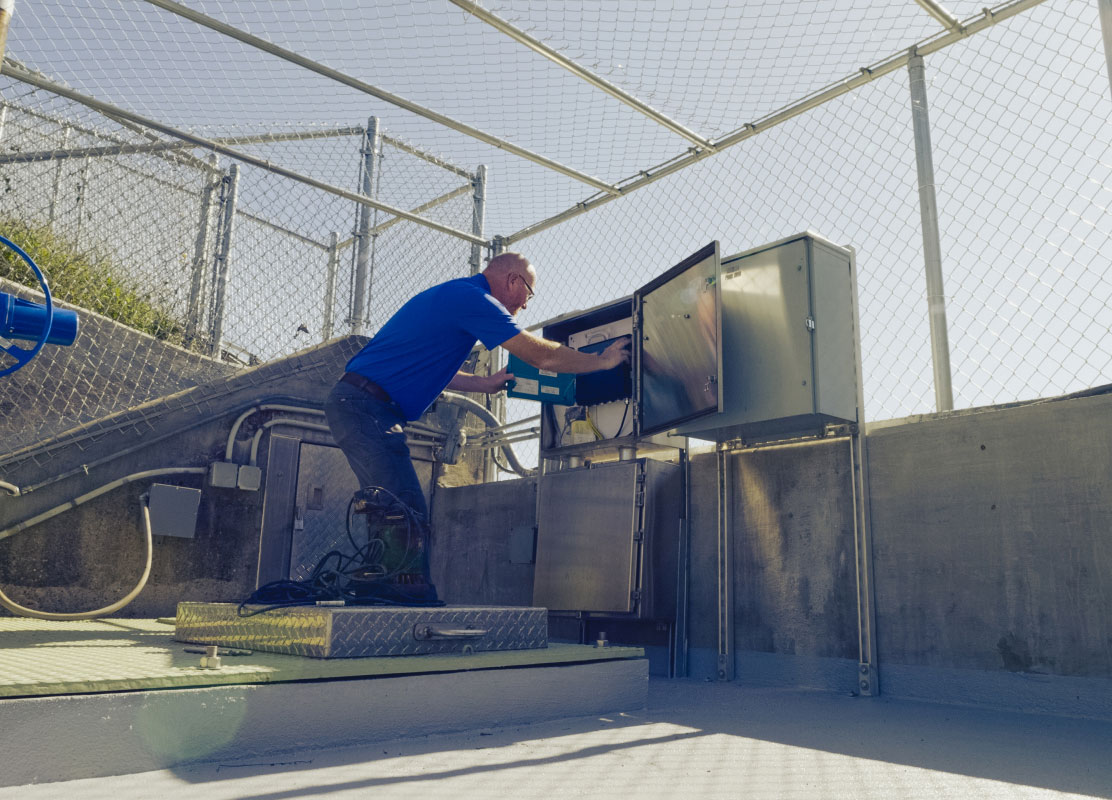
[1020, 127]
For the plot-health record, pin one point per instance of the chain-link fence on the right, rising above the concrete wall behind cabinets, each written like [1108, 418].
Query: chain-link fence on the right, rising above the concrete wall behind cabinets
[1022, 149]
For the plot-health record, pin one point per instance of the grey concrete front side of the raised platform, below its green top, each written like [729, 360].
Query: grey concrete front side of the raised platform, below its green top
[67, 738]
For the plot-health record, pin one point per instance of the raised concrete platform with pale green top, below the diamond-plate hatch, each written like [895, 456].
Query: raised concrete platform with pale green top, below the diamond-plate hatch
[118, 697]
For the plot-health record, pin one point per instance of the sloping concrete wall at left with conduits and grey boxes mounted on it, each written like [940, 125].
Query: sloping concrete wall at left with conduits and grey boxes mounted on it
[94, 555]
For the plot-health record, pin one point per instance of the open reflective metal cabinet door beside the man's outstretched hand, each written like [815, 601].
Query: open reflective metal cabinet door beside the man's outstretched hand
[678, 353]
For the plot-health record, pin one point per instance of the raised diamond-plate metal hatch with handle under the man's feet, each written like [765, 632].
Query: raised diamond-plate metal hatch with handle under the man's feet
[361, 633]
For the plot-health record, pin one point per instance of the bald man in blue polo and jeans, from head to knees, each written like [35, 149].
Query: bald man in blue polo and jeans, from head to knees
[419, 353]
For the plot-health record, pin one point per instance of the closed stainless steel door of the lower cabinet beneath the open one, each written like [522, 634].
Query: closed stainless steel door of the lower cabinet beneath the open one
[588, 559]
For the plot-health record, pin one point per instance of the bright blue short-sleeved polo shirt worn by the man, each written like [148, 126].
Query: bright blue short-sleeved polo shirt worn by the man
[422, 348]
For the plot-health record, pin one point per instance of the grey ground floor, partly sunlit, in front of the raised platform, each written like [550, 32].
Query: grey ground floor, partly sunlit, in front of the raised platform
[696, 740]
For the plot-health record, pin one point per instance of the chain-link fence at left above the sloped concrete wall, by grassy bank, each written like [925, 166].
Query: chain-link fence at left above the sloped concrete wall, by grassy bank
[186, 266]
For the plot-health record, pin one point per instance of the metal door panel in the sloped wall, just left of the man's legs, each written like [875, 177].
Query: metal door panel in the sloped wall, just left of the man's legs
[325, 486]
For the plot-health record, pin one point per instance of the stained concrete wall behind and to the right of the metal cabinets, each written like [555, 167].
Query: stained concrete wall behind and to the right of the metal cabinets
[992, 556]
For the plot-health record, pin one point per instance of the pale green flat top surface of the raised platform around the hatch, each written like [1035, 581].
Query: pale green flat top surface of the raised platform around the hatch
[41, 658]
